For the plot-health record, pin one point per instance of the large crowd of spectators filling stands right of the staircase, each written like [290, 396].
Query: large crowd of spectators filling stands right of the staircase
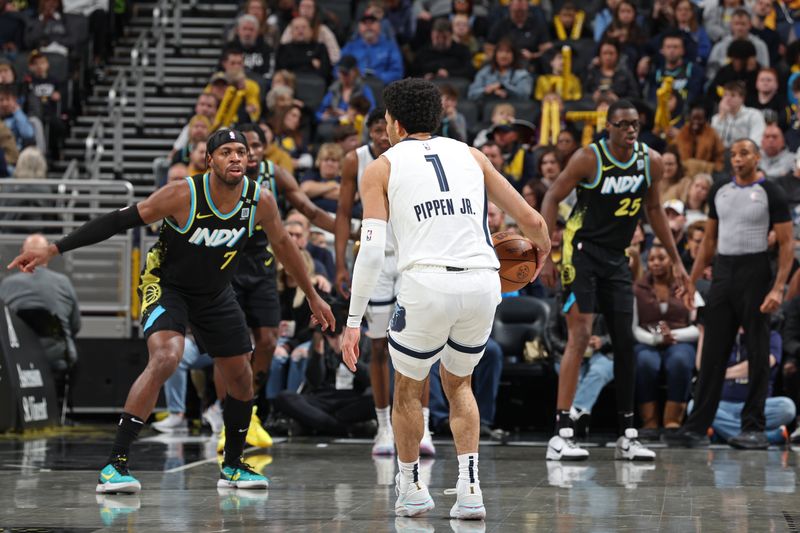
[528, 82]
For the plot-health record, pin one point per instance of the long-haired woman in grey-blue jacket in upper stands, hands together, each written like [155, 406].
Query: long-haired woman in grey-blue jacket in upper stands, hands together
[502, 78]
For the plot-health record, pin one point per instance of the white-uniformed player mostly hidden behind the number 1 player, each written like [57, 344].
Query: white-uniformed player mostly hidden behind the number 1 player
[382, 301]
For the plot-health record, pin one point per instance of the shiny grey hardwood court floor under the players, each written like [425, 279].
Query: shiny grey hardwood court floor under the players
[47, 485]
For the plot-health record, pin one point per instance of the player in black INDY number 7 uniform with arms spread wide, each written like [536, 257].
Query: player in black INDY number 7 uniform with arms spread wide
[208, 219]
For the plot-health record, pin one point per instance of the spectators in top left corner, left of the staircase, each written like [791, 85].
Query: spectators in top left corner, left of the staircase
[48, 48]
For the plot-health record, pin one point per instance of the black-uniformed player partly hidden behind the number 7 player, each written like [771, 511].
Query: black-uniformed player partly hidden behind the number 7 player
[255, 281]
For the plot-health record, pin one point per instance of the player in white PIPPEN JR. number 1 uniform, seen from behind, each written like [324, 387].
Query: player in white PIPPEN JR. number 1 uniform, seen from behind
[433, 191]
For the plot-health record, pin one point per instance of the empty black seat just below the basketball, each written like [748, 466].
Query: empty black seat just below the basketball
[519, 320]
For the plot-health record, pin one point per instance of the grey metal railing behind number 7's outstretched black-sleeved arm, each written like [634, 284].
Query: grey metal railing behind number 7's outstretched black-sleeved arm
[102, 273]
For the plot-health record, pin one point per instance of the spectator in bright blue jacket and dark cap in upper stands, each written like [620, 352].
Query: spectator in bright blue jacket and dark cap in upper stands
[376, 55]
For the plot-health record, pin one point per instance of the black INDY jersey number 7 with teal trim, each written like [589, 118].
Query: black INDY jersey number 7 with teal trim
[201, 257]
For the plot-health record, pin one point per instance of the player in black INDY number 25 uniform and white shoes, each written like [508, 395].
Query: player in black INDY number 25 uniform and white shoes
[615, 179]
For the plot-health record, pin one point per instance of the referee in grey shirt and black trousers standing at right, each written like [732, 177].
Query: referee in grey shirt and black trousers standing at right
[741, 213]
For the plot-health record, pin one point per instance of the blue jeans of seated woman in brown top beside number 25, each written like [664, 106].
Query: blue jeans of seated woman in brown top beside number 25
[677, 362]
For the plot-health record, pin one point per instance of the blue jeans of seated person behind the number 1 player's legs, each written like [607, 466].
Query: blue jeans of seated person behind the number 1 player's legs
[485, 384]
